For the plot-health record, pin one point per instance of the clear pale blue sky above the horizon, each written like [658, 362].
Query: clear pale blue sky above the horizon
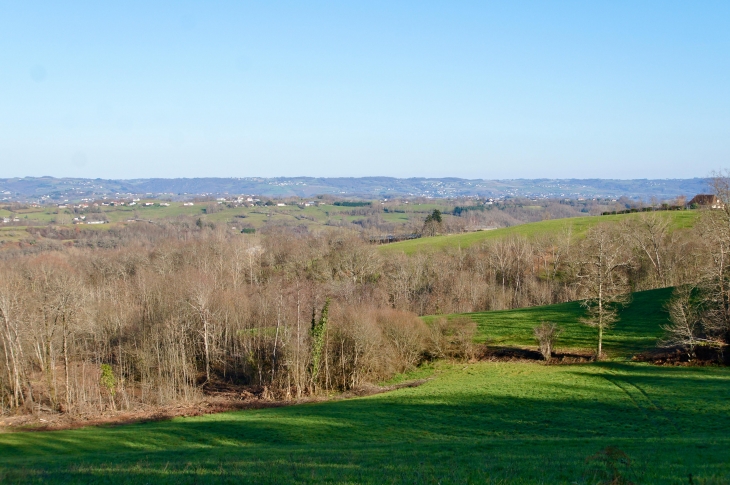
[612, 89]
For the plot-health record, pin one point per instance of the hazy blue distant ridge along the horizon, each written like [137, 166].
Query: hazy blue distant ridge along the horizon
[365, 187]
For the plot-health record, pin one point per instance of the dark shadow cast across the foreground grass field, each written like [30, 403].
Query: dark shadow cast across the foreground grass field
[513, 440]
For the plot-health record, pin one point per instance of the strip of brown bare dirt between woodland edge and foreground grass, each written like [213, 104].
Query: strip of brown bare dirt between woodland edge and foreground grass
[218, 399]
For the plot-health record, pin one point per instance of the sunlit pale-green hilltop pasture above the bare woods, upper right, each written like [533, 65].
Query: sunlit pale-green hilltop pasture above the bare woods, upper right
[576, 225]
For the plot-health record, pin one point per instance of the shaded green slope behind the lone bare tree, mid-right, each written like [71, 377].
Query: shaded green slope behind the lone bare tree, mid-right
[637, 330]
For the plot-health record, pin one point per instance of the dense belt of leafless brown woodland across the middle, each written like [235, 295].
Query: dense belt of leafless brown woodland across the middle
[177, 311]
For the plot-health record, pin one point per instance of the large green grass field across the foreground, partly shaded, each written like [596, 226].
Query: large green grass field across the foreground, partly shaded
[482, 423]
